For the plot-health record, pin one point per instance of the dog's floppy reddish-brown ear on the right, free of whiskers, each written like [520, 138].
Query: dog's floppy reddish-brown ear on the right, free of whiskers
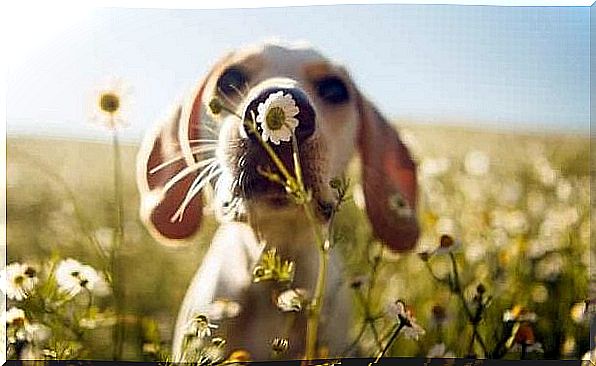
[388, 179]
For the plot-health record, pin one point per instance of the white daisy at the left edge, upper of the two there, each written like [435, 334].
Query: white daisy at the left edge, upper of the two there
[18, 281]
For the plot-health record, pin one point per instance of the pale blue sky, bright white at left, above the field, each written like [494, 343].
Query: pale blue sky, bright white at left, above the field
[513, 68]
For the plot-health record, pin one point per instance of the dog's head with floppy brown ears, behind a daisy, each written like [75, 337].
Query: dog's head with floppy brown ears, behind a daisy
[201, 143]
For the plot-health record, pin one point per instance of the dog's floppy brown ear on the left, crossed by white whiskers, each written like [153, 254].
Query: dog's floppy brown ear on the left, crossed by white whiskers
[166, 170]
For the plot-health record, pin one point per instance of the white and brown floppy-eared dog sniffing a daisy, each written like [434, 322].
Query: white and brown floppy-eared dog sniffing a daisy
[199, 144]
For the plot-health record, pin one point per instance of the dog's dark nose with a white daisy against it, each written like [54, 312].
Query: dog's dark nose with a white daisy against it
[273, 109]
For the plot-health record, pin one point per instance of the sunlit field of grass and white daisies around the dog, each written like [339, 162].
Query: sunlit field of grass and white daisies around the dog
[501, 269]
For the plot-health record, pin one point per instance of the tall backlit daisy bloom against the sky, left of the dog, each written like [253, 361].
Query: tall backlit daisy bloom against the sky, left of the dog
[111, 101]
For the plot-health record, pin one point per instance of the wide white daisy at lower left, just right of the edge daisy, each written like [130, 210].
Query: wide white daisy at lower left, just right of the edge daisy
[73, 277]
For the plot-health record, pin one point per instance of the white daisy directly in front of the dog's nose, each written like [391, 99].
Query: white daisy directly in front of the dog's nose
[276, 116]
